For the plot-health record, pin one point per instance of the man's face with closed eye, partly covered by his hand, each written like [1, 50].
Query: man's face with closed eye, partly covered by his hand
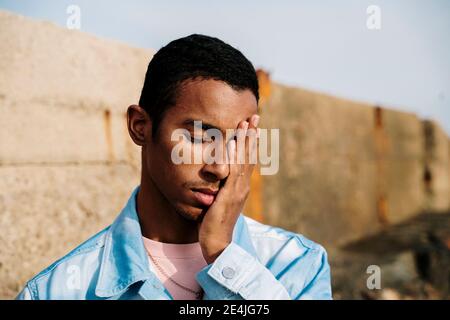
[186, 186]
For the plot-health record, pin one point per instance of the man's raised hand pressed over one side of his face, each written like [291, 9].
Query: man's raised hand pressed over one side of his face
[216, 228]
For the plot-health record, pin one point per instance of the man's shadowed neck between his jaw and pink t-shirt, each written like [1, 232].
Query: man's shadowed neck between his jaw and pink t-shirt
[158, 219]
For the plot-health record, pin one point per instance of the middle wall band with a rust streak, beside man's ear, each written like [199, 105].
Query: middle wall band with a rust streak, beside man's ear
[43, 134]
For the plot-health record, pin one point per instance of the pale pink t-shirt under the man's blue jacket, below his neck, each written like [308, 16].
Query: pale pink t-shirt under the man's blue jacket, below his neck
[180, 262]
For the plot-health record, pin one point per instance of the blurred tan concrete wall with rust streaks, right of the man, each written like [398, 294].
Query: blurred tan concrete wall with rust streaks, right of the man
[348, 169]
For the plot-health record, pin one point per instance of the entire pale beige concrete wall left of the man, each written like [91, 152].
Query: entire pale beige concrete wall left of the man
[67, 164]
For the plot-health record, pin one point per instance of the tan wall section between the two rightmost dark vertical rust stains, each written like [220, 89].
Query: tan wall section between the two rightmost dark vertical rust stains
[401, 165]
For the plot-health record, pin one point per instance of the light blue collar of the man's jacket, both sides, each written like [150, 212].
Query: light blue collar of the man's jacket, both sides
[125, 261]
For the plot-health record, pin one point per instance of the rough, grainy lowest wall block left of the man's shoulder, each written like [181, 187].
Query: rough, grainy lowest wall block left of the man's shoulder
[47, 211]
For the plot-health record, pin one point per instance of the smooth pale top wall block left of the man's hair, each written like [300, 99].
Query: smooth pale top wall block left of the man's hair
[67, 66]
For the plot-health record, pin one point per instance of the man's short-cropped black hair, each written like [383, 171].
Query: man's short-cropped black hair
[193, 57]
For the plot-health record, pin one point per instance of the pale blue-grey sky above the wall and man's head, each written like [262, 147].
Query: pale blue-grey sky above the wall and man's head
[323, 45]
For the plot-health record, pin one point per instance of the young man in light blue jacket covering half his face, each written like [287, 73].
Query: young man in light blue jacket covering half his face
[182, 235]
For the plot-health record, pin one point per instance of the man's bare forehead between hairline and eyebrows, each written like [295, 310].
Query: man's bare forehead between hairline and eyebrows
[214, 102]
